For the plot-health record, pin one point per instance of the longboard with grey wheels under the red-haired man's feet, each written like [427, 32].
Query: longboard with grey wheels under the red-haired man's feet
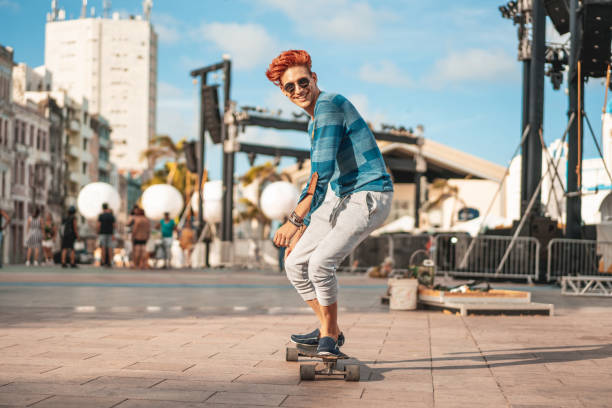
[308, 372]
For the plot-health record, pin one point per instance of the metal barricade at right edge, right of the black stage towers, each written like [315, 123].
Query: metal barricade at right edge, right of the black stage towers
[578, 257]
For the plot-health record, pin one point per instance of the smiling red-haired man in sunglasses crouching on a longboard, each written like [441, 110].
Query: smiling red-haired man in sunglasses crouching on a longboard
[345, 155]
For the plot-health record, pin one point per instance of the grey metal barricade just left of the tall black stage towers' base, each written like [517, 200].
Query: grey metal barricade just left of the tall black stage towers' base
[457, 255]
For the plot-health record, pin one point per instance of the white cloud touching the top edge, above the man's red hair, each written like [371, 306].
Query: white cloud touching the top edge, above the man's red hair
[333, 19]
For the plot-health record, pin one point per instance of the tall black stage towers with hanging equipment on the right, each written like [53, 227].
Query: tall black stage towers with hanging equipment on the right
[588, 55]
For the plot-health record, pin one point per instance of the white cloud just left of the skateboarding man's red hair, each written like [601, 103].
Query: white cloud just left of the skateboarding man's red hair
[247, 44]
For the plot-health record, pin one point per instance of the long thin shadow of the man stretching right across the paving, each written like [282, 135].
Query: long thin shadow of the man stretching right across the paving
[507, 358]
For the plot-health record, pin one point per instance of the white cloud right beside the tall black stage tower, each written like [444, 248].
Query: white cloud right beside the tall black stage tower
[474, 65]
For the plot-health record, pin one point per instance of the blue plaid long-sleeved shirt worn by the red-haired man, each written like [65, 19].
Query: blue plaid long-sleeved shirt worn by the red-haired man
[343, 152]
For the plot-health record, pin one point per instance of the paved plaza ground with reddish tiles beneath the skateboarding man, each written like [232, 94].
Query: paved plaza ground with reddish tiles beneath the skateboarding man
[217, 338]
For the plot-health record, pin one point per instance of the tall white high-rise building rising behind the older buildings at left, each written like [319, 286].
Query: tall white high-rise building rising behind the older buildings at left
[112, 62]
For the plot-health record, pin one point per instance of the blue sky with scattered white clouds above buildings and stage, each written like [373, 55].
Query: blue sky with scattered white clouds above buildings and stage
[450, 66]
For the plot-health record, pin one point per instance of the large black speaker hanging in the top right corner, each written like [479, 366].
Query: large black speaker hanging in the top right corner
[595, 54]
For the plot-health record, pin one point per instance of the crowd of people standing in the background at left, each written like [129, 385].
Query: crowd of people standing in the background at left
[137, 248]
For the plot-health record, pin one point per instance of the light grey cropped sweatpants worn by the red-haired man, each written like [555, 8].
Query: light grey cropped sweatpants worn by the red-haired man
[335, 229]
